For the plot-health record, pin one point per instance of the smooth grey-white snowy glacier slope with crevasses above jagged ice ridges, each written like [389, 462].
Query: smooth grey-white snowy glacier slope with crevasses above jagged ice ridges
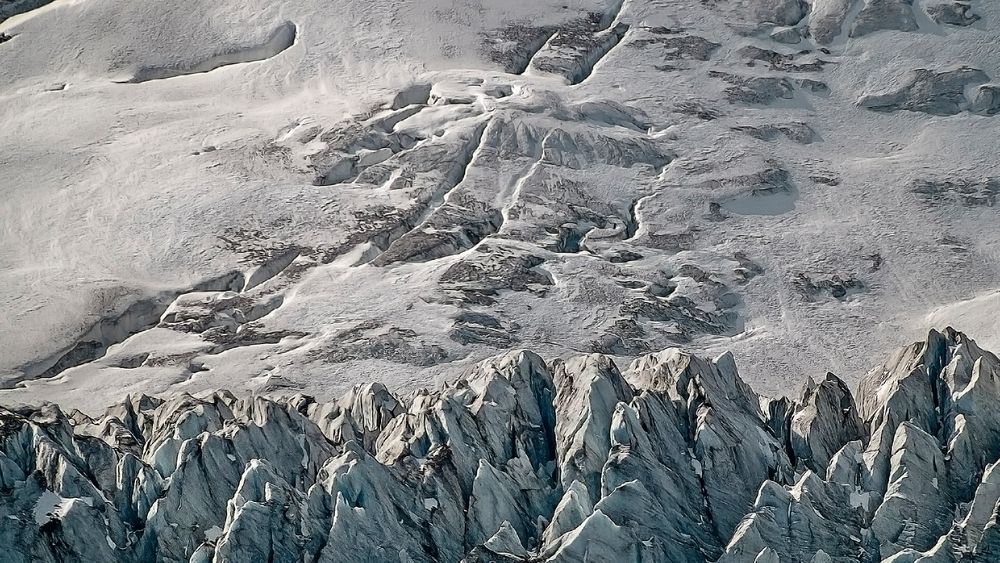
[302, 196]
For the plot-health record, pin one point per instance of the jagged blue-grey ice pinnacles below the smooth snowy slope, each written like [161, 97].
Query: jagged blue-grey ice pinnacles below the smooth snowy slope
[672, 459]
